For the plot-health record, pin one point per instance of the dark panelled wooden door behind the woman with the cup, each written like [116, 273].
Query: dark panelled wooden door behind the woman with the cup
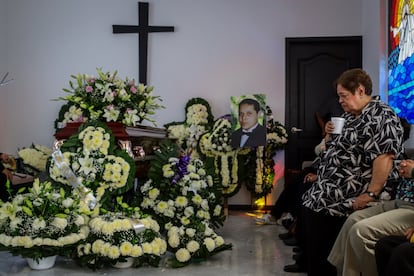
[312, 65]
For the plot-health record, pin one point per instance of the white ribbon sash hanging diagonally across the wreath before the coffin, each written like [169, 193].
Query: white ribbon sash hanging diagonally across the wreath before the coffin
[73, 180]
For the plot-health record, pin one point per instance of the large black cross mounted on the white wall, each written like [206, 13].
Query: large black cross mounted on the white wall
[142, 29]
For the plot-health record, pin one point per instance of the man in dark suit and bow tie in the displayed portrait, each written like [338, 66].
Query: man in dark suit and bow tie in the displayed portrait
[251, 133]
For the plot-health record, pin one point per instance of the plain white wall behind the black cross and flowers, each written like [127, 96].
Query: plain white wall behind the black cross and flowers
[219, 48]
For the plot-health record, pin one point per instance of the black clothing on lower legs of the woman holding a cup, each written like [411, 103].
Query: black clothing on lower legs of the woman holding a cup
[320, 232]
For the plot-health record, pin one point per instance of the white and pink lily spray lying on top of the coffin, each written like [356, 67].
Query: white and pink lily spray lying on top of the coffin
[107, 98]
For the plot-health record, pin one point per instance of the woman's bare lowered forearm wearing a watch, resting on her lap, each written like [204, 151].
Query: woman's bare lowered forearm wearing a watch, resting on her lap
[381, 169]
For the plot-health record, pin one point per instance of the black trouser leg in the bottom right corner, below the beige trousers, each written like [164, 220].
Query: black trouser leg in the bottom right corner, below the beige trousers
[394, 256]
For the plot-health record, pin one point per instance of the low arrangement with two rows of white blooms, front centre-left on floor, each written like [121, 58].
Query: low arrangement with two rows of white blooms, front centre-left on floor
[115, 237]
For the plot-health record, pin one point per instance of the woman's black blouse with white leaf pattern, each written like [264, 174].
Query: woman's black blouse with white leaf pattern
[346, 166]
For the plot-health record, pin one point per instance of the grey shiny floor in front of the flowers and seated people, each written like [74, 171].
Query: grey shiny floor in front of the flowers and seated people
[257, 250]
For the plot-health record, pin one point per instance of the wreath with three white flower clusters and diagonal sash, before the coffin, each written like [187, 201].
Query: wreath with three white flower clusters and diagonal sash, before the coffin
[97, 162]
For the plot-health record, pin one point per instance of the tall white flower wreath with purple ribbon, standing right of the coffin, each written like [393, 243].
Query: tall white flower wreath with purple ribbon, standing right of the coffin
[182, 197]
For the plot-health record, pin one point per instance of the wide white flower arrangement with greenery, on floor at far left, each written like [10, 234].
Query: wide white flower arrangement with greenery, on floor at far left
[43, 222]
